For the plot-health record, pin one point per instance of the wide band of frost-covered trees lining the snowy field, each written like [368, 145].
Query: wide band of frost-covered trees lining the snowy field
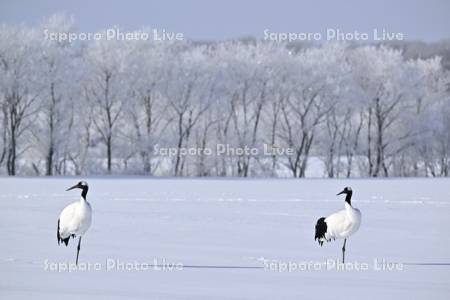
[101, 107]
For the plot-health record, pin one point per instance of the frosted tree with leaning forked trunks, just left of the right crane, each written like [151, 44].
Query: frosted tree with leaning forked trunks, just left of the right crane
[314, 91]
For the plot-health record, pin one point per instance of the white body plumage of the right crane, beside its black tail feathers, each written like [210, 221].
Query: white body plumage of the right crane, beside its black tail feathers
[343, 223]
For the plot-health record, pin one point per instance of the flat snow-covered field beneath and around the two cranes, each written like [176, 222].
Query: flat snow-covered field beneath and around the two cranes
[227, 234]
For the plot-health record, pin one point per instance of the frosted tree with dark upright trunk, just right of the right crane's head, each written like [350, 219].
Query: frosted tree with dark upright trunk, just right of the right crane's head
[387, 82]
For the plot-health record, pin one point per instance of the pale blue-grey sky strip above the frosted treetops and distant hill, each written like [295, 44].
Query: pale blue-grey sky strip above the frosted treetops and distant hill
[203, 19]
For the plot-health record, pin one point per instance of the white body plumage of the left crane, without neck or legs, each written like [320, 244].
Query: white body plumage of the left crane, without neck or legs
[75, 219]
